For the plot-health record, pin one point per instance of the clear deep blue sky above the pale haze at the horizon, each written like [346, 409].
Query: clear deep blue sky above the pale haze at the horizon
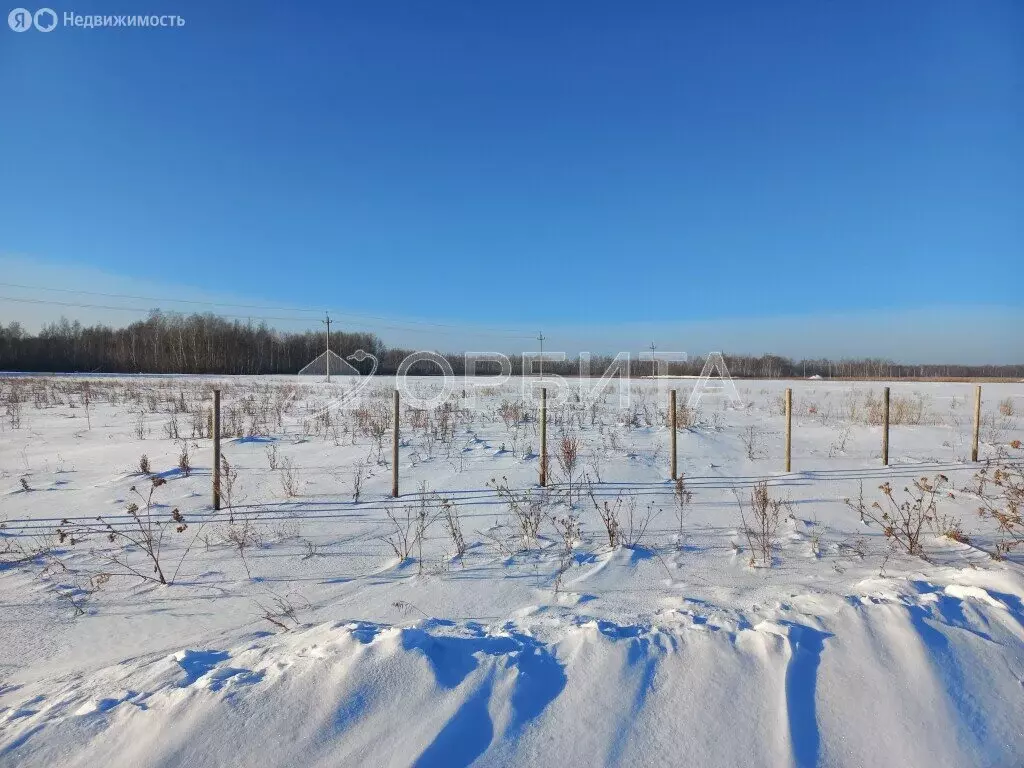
[530, 164]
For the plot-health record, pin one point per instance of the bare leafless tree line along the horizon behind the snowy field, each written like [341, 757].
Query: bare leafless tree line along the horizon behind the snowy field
[165, 344]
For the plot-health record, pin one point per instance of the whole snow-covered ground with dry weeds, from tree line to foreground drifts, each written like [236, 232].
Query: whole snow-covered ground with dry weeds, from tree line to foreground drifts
[292, 633]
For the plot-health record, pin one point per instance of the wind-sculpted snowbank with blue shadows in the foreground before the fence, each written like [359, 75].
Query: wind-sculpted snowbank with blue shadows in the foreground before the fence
[912, 674]
